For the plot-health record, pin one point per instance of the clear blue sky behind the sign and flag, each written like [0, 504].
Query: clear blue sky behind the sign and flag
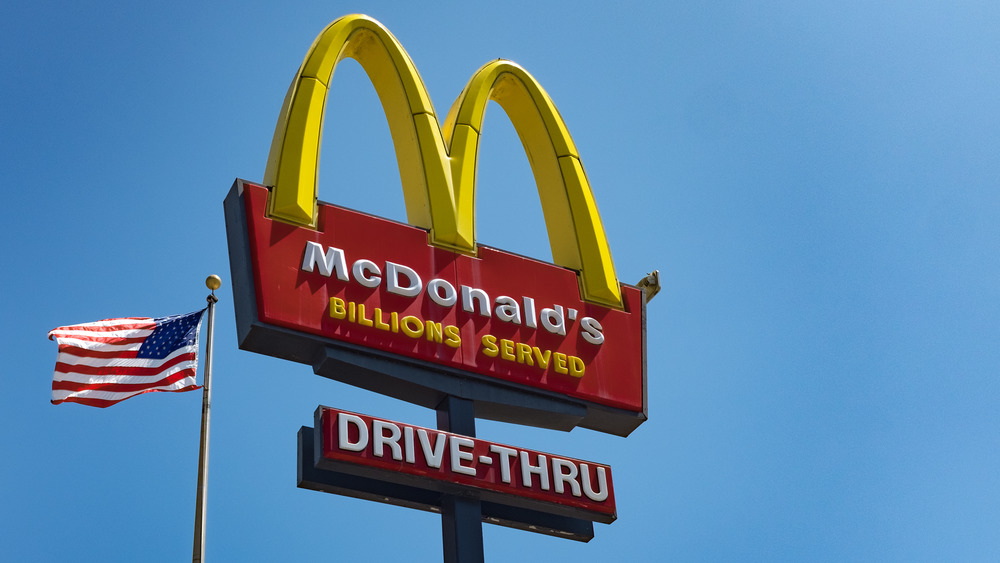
[819, 185]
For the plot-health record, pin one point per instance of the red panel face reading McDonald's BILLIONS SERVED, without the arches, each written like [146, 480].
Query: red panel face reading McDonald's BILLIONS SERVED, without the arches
[378, 284]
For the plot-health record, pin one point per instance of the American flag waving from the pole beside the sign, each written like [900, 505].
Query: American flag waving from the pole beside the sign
[104, 362]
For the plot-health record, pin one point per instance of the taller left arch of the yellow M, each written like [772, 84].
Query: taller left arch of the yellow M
[292, 164]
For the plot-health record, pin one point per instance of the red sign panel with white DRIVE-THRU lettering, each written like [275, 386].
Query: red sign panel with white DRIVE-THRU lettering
[409, 454]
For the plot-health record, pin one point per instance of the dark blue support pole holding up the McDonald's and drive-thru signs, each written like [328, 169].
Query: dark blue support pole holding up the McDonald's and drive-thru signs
[461, 517]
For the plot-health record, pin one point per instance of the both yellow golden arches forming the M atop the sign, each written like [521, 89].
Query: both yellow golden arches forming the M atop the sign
[438, 169]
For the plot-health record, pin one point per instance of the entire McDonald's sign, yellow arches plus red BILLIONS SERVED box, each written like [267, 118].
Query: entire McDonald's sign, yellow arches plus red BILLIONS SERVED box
[421, 310]
